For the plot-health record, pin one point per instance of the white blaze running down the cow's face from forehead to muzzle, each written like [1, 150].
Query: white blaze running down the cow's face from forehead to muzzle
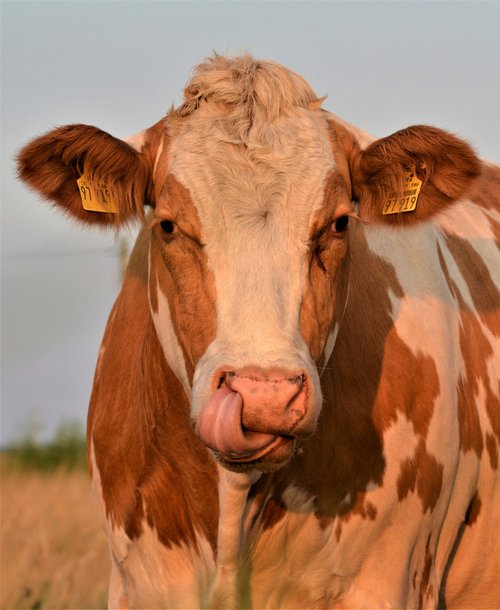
[256, 204]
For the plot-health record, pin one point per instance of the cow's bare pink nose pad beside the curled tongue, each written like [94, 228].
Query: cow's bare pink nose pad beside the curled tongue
[274, 401]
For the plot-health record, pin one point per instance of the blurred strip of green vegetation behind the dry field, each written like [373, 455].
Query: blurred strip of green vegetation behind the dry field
[66, 450]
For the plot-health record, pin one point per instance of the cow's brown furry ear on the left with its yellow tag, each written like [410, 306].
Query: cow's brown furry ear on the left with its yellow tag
[52, 164]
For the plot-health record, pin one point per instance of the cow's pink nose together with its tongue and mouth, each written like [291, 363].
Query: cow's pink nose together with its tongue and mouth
[254, 417]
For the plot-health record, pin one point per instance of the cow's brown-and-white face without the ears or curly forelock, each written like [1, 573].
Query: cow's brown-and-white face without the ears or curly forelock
[240, 233]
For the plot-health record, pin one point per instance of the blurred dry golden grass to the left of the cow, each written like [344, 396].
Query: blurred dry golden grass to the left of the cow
[53, 553]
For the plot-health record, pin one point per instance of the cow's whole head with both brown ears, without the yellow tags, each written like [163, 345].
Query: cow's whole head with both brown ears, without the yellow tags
[252, 187]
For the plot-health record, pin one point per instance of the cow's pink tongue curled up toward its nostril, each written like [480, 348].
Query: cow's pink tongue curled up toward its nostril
[219, 427]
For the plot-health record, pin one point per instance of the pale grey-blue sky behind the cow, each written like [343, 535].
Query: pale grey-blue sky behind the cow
[120, 65]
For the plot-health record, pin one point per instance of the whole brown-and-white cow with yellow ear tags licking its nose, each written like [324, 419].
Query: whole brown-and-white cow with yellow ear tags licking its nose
[296, 401]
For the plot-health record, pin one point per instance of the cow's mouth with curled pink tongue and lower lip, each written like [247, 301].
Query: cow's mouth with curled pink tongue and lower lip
[219, 426]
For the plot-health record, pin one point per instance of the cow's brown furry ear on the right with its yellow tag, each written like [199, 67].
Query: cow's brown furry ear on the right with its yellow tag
[429, 163]
